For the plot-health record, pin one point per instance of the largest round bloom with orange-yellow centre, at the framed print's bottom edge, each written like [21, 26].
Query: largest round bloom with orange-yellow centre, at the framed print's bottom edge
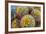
[27, 21]
